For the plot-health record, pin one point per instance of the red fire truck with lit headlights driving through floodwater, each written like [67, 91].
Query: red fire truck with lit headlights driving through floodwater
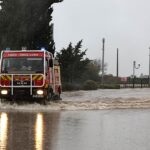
[32, 74]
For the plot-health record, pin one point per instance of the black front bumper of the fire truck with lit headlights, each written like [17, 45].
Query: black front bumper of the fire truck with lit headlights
[22, 93]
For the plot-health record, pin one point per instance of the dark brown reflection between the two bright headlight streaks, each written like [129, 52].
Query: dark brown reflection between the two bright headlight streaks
[21, 131]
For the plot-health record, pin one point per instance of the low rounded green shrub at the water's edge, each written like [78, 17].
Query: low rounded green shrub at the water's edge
[90, 85]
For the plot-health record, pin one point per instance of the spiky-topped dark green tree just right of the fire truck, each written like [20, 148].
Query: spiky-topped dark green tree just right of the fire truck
[72, 61]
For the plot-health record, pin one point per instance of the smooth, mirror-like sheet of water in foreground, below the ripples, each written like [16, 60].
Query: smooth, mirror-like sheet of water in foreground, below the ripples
[120, 129]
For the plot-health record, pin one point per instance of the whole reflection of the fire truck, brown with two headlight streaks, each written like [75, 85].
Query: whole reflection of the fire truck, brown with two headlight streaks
[33, 131]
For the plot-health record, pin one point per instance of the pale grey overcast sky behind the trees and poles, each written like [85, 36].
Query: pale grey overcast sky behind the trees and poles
[125, 24]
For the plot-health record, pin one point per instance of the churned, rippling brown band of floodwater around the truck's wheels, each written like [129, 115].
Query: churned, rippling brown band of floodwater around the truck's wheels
[90, 100]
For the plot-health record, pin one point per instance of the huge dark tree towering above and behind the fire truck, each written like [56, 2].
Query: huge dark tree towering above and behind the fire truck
[27, 23]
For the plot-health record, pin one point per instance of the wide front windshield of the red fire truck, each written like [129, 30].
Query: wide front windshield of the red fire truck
[23, 65]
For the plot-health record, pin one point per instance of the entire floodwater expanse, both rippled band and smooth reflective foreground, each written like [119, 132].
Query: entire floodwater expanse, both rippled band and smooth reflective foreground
[84, 120]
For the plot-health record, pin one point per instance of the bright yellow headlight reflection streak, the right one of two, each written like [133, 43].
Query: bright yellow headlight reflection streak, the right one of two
[39, 132]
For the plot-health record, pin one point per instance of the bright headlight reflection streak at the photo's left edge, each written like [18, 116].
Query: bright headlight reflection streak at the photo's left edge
[3, 130]
